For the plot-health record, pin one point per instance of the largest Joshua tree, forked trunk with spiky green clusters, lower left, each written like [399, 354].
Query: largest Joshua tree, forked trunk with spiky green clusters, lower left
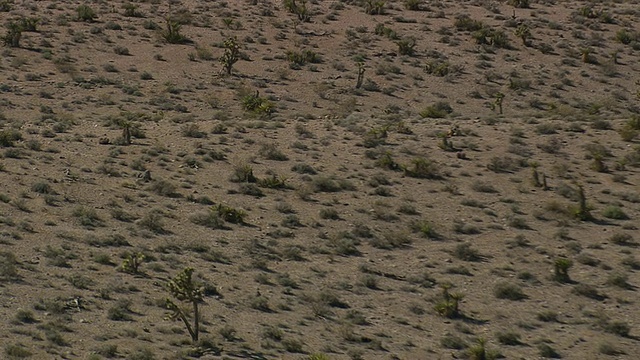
[184, 288]
